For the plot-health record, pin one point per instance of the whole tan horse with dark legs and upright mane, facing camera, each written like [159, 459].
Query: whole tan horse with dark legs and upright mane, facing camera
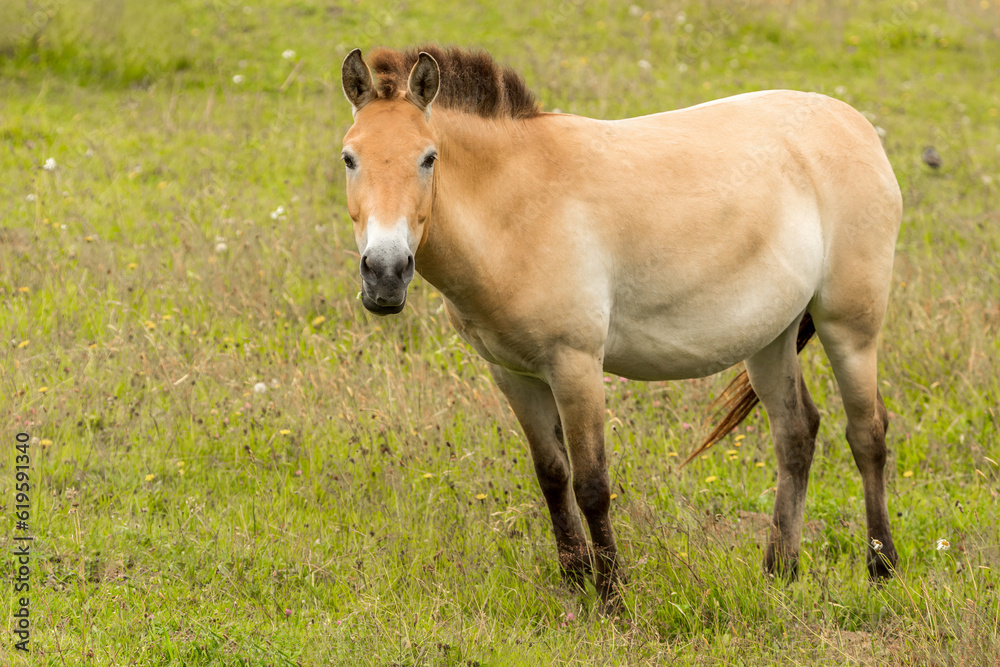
[656, 248]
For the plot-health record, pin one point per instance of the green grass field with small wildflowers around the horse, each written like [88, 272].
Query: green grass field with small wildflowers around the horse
[234, 464]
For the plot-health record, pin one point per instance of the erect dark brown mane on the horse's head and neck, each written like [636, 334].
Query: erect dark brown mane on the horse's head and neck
[470, 81]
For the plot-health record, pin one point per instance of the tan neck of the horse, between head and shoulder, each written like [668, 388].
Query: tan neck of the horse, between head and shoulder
[483, 174]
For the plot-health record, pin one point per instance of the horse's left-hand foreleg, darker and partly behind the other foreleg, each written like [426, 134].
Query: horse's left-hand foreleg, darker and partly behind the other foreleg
[535, 409]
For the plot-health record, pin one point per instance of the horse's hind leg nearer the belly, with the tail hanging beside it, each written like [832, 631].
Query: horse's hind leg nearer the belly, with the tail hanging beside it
[777, 380]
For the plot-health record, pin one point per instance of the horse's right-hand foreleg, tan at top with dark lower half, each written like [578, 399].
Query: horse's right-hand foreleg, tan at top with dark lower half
[578, 388]
